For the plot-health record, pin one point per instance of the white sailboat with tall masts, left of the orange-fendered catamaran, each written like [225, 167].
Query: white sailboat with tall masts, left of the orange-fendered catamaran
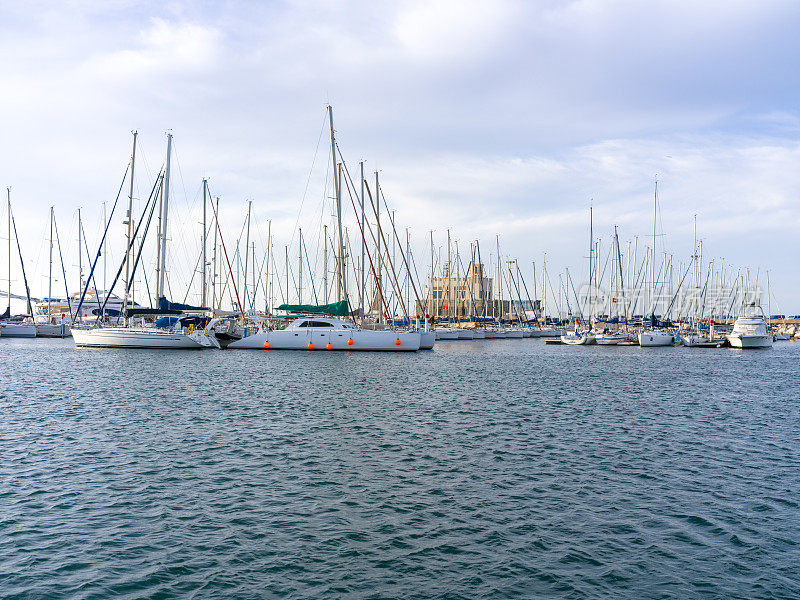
[171, 337]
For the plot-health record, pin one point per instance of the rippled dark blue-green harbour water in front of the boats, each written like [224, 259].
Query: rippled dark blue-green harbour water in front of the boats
[497, 469]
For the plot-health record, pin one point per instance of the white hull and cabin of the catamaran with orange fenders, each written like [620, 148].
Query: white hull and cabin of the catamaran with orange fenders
[325, 333]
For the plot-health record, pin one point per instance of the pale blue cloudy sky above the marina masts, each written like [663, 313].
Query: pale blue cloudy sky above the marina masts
[502, 117]
